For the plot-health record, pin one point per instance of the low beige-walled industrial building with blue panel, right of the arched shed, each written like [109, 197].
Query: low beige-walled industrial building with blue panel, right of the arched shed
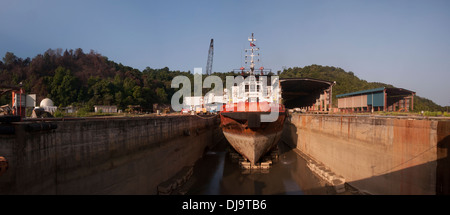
[378, 99]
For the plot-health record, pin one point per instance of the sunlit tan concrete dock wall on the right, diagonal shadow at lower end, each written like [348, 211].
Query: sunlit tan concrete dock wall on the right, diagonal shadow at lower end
[378, 155]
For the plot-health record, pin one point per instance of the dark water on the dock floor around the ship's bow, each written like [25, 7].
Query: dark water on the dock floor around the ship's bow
[216, 173]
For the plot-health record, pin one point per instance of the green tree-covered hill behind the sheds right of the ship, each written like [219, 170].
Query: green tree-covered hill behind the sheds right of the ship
[347, 82]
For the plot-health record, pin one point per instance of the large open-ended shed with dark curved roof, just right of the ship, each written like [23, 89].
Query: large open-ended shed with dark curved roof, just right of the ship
[307, 93]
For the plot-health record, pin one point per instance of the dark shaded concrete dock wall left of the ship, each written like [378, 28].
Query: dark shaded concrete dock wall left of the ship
[102, 156]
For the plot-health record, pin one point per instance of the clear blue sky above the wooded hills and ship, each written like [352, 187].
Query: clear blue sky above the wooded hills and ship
[404, 43]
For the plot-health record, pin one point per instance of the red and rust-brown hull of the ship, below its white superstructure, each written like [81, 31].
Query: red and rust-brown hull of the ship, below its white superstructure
[245, 131]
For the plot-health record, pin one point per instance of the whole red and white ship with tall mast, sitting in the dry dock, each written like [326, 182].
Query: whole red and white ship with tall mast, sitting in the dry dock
[252, 118]
